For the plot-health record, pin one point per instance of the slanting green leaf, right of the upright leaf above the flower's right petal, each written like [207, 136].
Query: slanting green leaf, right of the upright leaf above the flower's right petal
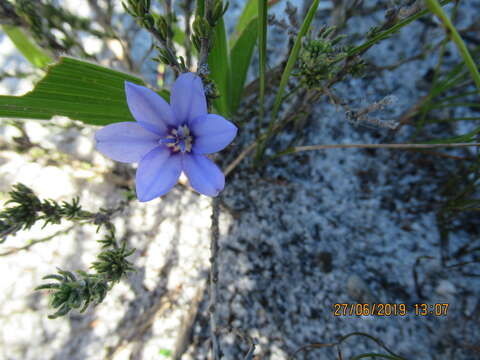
[241, 56]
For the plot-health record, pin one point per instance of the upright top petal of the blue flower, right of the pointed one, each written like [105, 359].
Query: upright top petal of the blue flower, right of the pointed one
[188, 98]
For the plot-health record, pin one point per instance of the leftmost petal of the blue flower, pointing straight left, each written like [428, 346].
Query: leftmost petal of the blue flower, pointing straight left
[125, 141]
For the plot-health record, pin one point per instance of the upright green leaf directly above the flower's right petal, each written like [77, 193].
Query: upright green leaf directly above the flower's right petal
[219, 65]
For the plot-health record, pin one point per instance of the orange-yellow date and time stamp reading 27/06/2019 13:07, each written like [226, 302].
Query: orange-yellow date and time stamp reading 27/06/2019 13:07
[389, 309]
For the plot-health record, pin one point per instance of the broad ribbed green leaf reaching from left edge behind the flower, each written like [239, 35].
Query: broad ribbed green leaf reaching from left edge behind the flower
[77, 89]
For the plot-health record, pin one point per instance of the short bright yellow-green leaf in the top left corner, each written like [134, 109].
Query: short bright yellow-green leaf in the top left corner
[35, 55]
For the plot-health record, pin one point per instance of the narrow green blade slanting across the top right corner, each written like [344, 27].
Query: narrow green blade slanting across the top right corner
[435, 7]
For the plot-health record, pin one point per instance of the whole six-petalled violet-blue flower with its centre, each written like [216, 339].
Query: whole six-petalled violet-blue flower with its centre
[168, 139]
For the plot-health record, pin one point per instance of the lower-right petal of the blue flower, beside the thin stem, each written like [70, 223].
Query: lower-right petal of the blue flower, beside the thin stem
[205, 177]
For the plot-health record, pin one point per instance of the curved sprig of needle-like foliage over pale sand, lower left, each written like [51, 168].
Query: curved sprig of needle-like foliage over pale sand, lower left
[70, 291]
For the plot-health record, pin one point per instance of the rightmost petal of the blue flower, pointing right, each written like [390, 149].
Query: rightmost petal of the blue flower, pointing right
[211, 133]
